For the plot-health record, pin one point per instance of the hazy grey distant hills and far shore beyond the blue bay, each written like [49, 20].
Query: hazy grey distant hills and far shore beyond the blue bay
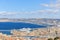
[33, 20]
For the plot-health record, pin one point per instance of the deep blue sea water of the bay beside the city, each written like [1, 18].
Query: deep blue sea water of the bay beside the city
[16, 25]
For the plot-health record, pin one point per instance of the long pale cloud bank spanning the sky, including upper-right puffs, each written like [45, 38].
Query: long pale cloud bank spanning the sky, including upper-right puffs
[52, 8]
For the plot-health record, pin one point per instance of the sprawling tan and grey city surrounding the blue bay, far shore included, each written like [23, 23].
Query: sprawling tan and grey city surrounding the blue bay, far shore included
[51, 31]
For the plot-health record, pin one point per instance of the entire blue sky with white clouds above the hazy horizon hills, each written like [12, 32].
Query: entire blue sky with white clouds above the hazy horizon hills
[30, 9]
